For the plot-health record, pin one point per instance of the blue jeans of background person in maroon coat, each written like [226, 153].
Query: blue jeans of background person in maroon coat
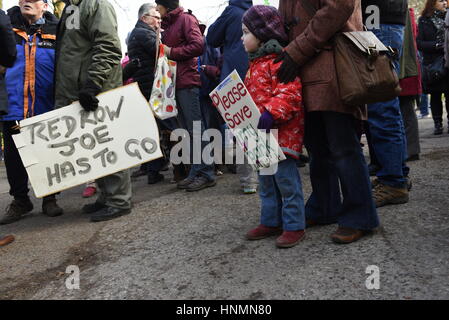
[190, 111]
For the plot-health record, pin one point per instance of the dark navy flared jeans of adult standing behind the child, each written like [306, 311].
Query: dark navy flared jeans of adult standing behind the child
[336, 159]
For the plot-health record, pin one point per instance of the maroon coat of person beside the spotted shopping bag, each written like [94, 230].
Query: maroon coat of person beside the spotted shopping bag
[182, 34]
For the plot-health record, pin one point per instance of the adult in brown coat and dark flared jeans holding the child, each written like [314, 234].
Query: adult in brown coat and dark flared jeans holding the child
[341, 187]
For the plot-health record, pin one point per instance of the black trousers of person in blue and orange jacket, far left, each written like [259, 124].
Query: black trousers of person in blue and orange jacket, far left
[15, 171]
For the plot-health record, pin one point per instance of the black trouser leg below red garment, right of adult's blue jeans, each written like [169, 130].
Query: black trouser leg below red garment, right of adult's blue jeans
[411, 125]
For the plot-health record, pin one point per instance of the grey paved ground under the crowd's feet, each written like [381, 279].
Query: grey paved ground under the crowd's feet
[177, 245]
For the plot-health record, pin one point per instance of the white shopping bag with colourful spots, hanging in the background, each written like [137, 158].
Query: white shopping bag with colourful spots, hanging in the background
[162, 100]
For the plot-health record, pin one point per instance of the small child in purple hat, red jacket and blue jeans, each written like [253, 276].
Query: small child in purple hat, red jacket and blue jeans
[280, 105]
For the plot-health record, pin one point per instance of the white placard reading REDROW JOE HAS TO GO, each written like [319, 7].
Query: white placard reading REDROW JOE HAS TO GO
[68, 146]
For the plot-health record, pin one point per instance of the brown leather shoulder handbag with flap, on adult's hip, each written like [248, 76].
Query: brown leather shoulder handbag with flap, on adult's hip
[364, 66]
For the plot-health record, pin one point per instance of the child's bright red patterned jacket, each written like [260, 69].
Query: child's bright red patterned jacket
[283, 101]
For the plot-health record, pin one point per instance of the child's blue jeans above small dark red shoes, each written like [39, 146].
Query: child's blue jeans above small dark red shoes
[282, 198]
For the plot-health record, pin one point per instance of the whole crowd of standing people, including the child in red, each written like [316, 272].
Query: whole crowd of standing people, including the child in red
[286, 58]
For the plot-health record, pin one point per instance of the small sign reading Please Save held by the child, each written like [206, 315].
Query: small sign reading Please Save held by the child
[241, 114]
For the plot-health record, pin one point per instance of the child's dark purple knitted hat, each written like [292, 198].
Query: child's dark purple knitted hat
[265, 23]
